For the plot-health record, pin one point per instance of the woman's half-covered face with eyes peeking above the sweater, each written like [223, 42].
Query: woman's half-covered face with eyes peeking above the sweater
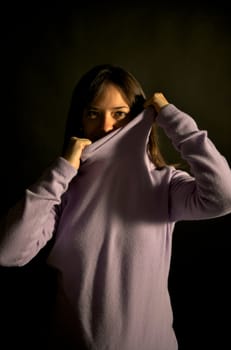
[107, 112]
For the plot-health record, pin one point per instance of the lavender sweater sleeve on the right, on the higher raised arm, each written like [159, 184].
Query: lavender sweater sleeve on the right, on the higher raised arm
[206, 192]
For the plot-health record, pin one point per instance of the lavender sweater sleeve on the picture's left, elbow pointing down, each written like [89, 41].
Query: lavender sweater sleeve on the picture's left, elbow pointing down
[30, 224]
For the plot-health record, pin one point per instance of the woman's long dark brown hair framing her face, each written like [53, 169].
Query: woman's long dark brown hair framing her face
[91, 85]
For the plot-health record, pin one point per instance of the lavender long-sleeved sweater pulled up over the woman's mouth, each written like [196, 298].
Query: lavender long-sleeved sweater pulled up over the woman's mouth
[113, 223]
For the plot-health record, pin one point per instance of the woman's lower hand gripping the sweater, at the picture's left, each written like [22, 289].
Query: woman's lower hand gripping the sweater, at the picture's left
[74, 150]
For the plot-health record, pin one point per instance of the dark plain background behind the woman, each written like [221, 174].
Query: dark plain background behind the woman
[183, 50]
